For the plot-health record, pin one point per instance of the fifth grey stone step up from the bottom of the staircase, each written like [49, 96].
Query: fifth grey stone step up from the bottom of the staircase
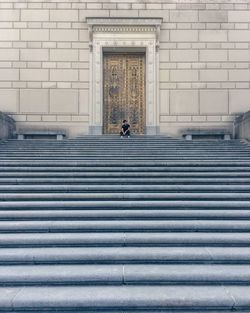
[126, 225]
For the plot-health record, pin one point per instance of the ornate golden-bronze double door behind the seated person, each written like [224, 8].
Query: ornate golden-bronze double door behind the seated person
[124, 92]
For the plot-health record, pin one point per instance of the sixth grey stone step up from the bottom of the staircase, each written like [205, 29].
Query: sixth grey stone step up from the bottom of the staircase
[123, 214]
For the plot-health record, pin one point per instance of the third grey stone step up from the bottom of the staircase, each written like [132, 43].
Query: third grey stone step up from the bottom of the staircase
[125, 255]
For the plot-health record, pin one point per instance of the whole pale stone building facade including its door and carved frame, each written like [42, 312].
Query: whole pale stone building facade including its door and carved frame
[165, 65]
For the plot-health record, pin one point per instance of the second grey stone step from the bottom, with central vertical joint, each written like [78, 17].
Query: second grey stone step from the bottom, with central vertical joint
[63, 275]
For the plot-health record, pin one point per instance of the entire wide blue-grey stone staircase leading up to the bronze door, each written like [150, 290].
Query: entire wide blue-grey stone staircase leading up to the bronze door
[103, 224]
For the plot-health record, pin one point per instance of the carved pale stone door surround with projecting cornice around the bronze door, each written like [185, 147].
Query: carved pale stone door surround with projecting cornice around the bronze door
[126, 34]
